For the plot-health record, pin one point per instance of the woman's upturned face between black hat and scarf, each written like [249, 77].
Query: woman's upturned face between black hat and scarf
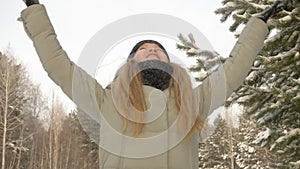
[150, 51]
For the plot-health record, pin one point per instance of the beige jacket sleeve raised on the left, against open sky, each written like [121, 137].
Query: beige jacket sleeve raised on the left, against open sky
[74, 81]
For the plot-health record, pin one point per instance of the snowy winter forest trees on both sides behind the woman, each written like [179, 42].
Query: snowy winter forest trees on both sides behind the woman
[36, 133]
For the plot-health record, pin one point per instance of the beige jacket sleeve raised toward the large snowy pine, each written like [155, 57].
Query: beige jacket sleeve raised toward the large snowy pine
[215, 89]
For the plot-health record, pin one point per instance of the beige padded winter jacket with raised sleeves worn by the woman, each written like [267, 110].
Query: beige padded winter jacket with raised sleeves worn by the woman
[90, 96]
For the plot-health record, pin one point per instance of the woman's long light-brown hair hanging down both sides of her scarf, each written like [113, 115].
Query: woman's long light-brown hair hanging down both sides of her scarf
[130, 99]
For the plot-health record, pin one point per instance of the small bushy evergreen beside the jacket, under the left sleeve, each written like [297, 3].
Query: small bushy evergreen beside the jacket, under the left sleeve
[81, 150]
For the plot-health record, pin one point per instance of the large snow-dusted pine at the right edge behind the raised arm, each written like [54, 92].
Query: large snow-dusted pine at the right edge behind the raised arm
[271, 93]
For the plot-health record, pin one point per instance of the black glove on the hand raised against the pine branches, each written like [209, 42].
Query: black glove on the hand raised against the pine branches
[273, 10]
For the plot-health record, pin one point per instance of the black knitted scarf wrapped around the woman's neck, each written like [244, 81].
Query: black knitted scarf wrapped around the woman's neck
[156, 73]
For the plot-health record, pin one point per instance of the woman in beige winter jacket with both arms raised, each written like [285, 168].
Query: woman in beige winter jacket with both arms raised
[125, 106]
